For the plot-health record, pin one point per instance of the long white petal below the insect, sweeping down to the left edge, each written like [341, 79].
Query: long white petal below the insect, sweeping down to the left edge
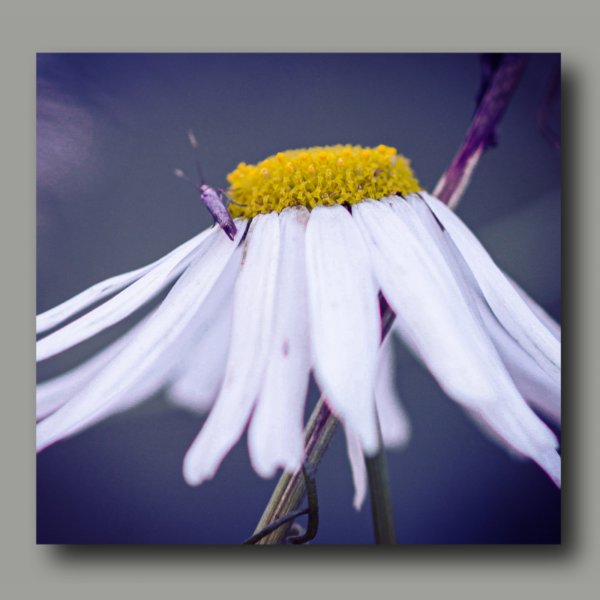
[165, 326]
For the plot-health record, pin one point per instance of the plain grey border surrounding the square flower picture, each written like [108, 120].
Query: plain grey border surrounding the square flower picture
[309, 26]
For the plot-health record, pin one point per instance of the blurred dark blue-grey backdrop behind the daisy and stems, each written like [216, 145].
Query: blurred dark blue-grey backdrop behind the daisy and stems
[111, 129]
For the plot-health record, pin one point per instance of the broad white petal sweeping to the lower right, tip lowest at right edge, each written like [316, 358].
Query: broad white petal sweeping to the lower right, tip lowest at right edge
[432, 311]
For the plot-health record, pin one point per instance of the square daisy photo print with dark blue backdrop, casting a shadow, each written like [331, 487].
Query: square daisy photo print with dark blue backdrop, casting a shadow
[298, 299]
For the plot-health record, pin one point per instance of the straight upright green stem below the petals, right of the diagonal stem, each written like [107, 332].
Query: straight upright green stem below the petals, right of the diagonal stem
[381, 497]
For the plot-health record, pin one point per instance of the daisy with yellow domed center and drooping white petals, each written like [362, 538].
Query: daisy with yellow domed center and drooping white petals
[322, 233]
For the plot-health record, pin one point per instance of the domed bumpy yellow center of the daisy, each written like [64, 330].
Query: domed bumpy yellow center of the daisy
[319, 175]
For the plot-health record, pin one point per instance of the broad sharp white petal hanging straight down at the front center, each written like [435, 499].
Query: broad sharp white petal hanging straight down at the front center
[345, 327]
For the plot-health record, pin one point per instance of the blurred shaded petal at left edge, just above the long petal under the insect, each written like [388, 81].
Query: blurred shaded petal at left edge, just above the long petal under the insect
[52, 394]
